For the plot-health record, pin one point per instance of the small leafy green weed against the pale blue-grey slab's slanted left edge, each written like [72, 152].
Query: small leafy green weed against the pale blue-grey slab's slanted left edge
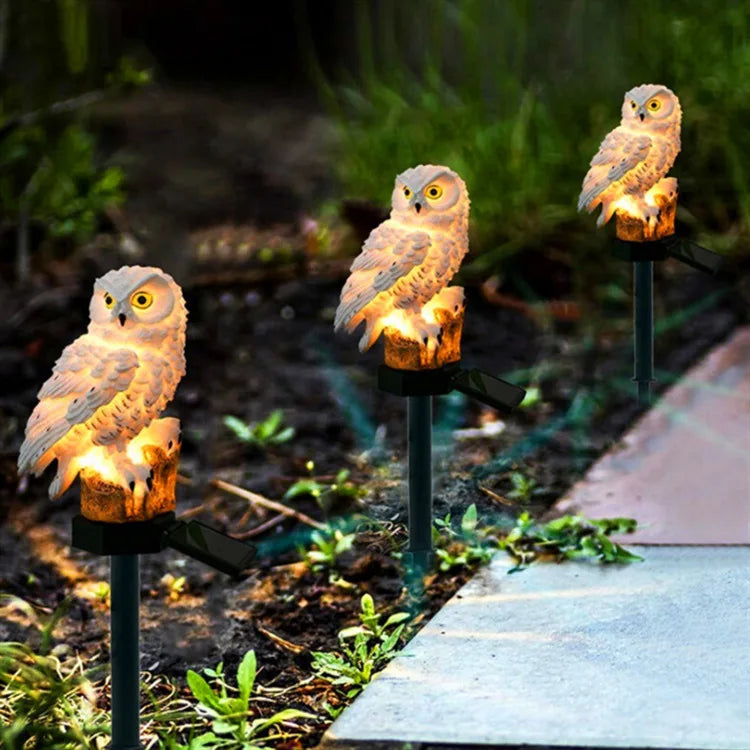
[363, 649]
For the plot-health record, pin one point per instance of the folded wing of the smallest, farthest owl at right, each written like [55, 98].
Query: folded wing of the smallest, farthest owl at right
[620, 153]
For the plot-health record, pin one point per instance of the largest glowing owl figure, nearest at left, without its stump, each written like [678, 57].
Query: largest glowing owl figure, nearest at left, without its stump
[110, 385]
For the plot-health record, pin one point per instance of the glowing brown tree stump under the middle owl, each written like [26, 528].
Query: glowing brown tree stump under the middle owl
[404, 353]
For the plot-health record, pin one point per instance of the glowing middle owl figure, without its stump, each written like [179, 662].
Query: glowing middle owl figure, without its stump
[402, 273]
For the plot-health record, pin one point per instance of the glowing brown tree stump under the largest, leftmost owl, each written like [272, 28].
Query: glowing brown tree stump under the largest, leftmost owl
[102, 500]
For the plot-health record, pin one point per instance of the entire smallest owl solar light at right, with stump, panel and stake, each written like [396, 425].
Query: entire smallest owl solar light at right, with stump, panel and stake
[628, 178]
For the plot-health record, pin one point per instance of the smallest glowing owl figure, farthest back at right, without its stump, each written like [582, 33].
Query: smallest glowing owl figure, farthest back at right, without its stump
[635, 155]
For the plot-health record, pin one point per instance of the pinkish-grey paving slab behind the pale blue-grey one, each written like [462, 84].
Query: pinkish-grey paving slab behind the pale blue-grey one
[683, 470]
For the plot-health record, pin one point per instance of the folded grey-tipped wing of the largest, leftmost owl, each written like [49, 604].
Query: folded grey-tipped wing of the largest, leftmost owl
[85, 379]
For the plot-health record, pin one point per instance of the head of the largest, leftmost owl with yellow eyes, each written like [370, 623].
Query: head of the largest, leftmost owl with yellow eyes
[135, 302]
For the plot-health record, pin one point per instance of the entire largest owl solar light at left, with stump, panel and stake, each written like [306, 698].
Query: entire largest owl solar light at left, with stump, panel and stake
[98, 417]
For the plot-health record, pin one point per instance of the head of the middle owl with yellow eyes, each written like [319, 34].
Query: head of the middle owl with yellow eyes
[428, 192]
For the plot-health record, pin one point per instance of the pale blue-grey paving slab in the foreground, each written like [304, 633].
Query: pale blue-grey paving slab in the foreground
[650, 655]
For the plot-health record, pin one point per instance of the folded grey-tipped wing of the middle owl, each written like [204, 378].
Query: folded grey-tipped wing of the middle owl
[386, 257]
